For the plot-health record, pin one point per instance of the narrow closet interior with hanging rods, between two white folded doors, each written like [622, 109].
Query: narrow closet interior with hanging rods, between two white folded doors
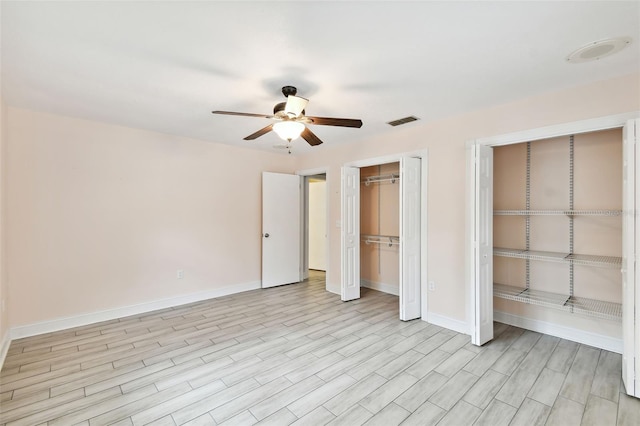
[380, 227]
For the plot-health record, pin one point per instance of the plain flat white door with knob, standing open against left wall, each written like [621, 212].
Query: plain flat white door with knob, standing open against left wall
[281, 230]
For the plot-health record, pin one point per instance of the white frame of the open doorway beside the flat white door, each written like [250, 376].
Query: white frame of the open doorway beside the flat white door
[304, 220]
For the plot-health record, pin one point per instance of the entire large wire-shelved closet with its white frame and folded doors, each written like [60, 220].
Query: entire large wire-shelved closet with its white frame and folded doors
[553, 234]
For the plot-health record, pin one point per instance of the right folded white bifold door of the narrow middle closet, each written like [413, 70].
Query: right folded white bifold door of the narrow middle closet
[410, 199]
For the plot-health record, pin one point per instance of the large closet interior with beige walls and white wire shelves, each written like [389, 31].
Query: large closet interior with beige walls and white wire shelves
[557, 231]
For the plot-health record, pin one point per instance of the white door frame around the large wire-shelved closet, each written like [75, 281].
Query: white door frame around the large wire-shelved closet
[474, 295]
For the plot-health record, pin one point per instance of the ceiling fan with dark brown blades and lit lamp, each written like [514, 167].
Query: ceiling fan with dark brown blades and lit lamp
[290, 120]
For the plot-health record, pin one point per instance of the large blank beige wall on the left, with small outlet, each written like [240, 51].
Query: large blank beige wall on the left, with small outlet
[102, 217]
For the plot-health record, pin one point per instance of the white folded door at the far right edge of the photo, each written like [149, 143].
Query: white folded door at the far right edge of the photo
[631, 341]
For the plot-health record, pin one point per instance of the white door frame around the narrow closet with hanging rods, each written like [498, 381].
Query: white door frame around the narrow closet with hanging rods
[393, 158]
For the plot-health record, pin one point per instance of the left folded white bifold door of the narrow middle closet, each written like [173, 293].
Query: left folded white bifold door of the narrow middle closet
[350, 234]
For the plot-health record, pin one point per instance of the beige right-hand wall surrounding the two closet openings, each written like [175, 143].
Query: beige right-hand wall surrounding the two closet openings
[445, 141]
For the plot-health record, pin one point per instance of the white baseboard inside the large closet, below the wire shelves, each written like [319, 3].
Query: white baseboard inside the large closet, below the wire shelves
[575, 335]
